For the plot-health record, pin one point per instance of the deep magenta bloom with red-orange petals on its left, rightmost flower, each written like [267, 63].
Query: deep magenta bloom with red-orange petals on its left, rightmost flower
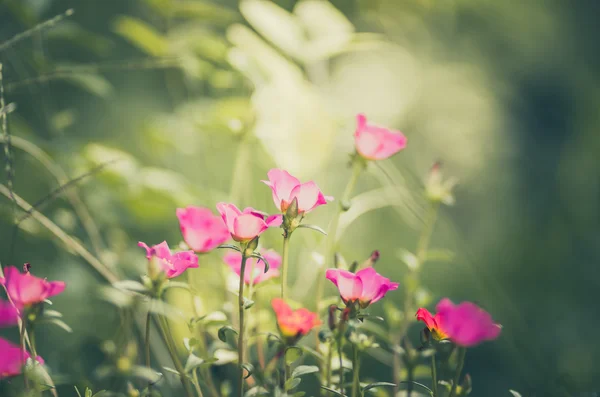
[465, 324]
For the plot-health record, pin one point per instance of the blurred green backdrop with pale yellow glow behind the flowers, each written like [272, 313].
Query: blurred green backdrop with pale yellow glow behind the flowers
[198, 100]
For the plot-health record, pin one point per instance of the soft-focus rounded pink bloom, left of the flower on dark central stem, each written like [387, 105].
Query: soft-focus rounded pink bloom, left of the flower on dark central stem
[202, 230]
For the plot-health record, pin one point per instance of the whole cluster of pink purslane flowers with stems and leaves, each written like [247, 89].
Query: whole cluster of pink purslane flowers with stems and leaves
[345, 333]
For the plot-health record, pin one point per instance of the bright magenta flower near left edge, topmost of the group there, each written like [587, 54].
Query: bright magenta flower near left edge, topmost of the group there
[25, 289]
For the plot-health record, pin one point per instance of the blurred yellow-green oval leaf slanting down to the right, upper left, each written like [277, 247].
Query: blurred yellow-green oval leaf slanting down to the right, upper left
[142, 35]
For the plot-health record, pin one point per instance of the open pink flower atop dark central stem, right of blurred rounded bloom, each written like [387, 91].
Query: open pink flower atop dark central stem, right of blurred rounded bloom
[248, 224]
